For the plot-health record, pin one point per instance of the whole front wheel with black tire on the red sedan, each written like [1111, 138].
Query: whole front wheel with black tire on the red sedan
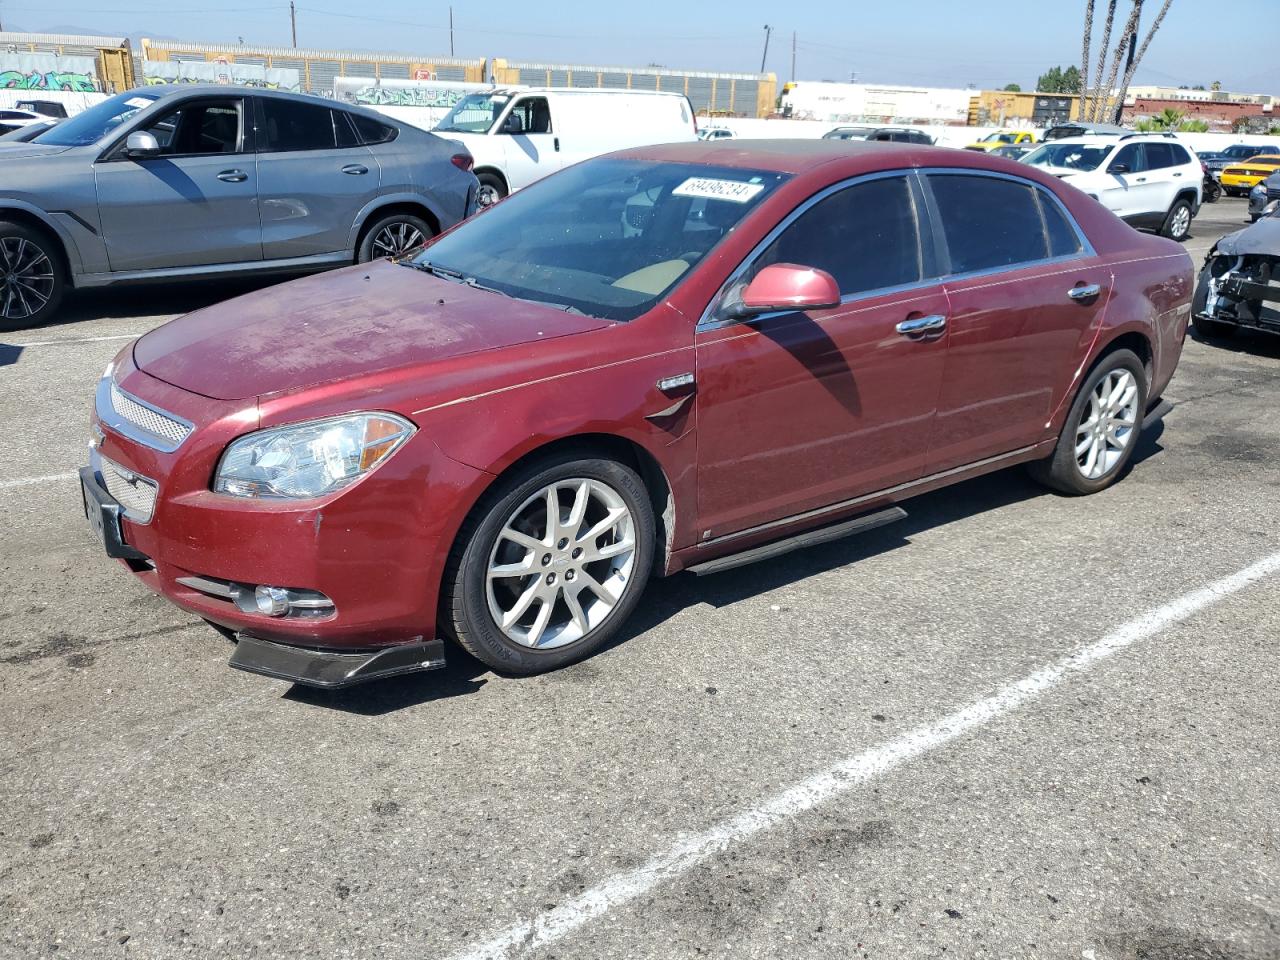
[473, 600]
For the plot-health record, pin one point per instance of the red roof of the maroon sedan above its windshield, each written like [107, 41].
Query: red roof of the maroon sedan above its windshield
[794, 157]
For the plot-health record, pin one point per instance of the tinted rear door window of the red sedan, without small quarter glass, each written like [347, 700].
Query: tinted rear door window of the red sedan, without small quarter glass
[989, 223]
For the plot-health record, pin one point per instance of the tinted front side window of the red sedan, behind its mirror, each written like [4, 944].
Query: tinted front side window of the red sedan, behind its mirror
[867, 236]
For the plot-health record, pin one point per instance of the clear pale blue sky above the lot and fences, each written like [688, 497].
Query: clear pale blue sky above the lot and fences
[925, 43]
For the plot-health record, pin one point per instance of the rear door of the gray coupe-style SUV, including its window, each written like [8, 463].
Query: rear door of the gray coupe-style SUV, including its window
[313, 179]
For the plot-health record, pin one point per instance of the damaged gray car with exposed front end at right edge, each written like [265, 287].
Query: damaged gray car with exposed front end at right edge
[1240, 287]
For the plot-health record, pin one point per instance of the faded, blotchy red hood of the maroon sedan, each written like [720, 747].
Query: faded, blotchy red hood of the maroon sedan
[333, 327]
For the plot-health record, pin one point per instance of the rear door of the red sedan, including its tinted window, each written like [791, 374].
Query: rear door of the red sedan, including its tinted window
[1026, 296]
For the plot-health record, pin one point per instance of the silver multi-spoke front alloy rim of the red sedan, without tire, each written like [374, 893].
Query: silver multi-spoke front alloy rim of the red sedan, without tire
[561, 564]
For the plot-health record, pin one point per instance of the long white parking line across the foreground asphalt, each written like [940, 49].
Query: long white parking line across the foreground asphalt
[849, 774]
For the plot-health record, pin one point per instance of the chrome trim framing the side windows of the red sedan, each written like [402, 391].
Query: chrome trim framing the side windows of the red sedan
[930, 225]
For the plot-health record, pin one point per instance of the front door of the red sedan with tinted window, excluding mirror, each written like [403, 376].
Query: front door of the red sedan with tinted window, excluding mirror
[802, 410]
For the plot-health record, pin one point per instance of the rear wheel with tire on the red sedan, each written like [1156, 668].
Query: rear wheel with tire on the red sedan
[1101, 429]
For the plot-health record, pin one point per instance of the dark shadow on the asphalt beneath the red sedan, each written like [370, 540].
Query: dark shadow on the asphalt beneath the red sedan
[666, 598]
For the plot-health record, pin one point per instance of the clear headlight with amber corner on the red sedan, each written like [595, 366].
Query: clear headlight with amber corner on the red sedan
[310, 460]
